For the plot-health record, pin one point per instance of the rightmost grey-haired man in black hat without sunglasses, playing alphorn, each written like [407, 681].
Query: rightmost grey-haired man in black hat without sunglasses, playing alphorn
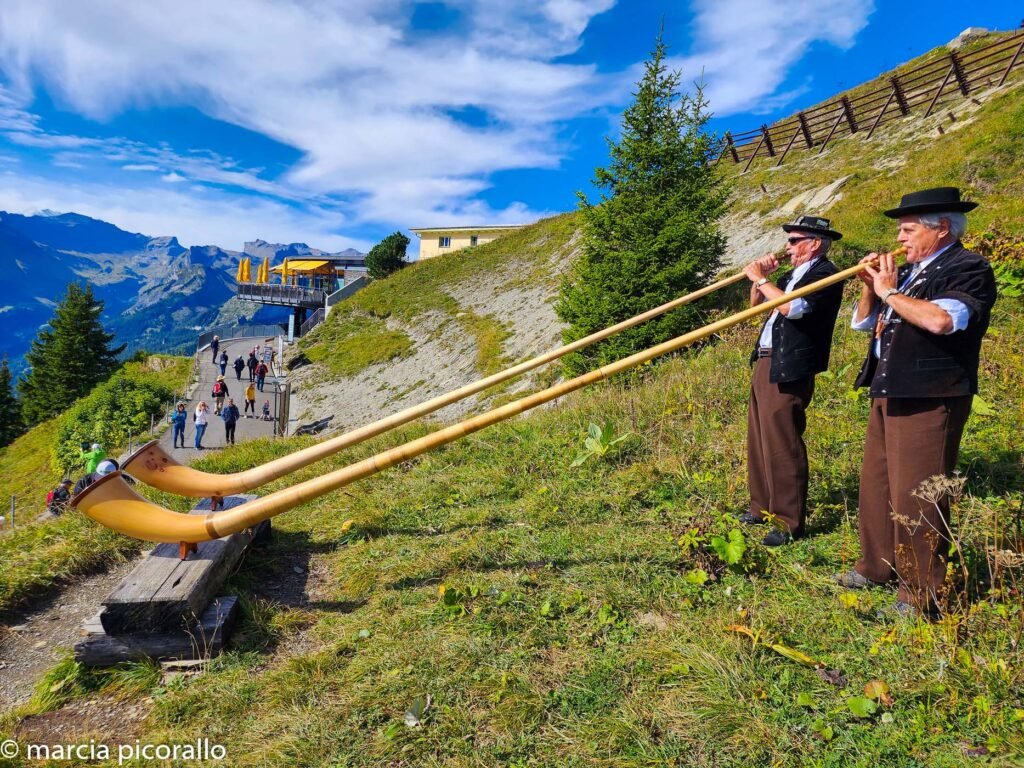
[928, 319]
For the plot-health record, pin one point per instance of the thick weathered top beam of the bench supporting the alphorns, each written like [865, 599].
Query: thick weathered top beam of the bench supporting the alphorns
[164, 591]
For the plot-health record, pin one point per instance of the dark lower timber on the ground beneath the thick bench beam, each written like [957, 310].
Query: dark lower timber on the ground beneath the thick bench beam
[202, 641]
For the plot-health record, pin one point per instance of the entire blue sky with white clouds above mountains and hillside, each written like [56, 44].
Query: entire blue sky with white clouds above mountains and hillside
[336, 123]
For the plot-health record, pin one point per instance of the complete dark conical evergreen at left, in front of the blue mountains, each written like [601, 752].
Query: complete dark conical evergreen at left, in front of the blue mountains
[69, 357]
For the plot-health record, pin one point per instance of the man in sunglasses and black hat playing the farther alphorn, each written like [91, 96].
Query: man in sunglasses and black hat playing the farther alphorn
[793, 347]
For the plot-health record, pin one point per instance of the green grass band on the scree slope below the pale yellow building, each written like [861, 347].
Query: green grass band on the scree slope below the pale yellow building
[356, 335]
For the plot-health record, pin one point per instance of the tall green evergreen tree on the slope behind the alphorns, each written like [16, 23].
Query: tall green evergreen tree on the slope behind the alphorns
[655, 234]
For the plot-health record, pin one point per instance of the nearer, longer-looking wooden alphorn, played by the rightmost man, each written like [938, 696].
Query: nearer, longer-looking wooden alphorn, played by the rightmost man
[113, 503]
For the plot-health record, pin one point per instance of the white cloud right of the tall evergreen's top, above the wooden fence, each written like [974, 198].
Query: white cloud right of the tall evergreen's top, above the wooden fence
[747, 48]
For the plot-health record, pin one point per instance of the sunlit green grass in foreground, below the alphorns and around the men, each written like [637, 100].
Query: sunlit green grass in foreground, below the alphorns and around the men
[573, 630]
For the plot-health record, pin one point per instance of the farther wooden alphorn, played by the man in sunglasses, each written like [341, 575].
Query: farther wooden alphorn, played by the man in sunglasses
[154, 466]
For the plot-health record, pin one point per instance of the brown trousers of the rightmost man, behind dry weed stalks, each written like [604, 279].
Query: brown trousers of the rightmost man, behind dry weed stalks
[904, 537]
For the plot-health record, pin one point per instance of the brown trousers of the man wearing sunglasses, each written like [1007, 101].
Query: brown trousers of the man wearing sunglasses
[777, 457]
